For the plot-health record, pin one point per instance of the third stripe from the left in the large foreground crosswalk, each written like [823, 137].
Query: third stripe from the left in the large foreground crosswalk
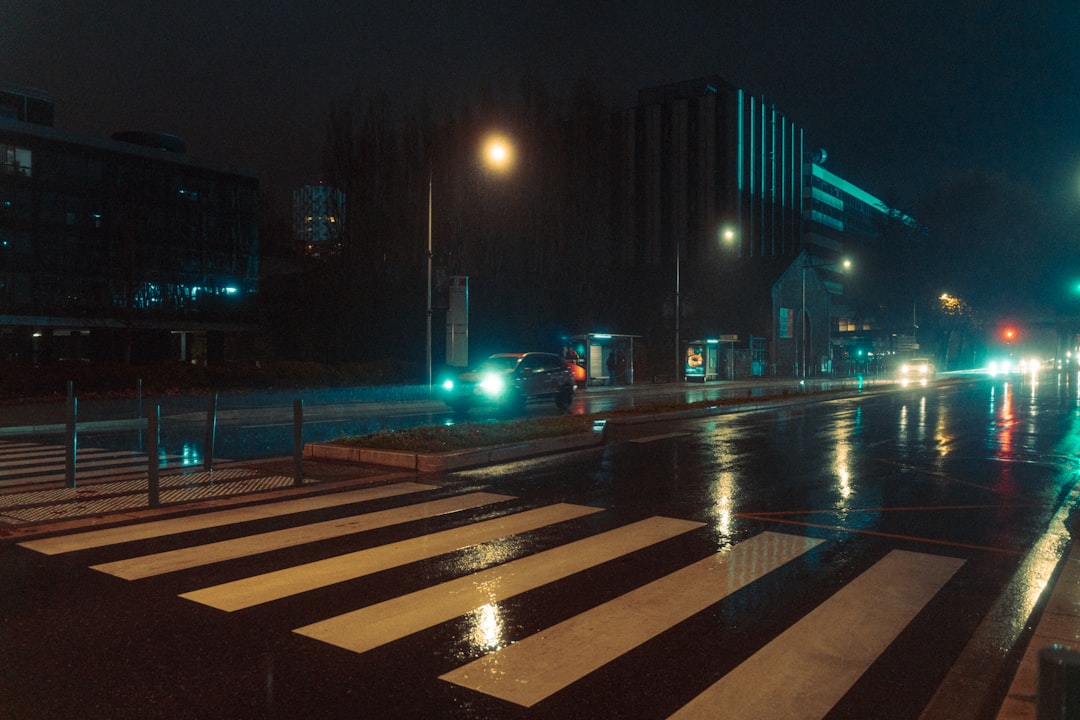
[269, 587]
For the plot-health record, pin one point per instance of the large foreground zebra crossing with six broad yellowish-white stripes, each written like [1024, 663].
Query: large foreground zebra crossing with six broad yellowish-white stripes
[802, 673]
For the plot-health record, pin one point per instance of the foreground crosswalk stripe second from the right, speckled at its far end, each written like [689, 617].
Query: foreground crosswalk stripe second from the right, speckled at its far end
[537, 668]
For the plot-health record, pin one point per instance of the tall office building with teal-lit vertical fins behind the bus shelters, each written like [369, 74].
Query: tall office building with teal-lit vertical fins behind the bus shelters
[718, 194]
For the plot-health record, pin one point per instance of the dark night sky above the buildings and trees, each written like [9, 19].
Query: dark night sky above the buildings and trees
[904, 94]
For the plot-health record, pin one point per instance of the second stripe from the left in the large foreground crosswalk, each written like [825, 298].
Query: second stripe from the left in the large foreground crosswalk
[183, 559]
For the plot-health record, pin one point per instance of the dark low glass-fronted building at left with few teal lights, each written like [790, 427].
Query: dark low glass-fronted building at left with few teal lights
[119, 249]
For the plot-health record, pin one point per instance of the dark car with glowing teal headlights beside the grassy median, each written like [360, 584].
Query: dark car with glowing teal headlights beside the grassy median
[510, 382]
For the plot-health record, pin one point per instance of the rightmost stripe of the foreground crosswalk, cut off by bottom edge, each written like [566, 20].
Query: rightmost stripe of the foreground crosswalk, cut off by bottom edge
[809, 668]
